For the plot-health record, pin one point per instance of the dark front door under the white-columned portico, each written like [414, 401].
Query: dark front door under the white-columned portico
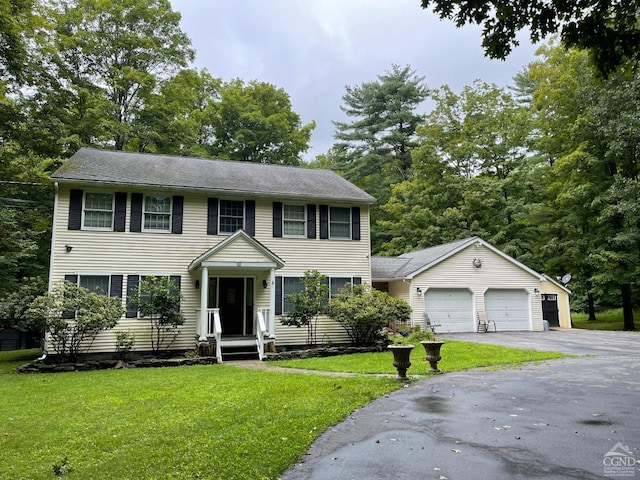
[234, 297]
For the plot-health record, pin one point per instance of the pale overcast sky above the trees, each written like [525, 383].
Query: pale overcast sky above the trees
[314, 48]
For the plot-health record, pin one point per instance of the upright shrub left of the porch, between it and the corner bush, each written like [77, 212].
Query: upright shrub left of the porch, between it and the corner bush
[157, 300]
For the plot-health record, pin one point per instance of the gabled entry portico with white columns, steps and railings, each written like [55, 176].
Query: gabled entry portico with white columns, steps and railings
[237, 294]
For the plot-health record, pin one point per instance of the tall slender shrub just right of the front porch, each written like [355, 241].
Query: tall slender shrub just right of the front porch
[308, 304]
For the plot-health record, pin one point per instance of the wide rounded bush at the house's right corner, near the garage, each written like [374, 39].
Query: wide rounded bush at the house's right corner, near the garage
[364, 311]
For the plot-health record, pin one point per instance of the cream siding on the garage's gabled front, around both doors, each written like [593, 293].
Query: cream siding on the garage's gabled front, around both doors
[496, 272]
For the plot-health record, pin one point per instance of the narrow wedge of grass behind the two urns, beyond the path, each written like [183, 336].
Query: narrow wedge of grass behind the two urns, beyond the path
[456, 356]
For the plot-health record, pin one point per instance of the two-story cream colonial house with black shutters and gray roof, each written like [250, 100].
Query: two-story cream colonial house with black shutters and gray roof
[236, 237]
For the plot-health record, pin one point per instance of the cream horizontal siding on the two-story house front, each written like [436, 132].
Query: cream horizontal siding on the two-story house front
[158, 253]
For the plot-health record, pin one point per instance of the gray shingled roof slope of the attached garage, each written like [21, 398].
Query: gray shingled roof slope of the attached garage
[403, 266]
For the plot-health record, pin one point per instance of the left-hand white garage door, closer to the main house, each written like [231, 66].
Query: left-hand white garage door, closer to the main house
[451, 308]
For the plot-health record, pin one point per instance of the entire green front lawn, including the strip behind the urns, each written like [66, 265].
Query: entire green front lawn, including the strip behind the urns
[214, 422]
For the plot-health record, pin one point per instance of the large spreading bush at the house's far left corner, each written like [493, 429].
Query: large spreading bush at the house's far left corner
[72, 317]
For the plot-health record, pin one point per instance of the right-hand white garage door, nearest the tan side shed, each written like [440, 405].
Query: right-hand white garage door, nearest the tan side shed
[508, 308]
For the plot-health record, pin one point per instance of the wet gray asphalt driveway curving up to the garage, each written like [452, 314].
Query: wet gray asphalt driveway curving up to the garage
[569, 418]
